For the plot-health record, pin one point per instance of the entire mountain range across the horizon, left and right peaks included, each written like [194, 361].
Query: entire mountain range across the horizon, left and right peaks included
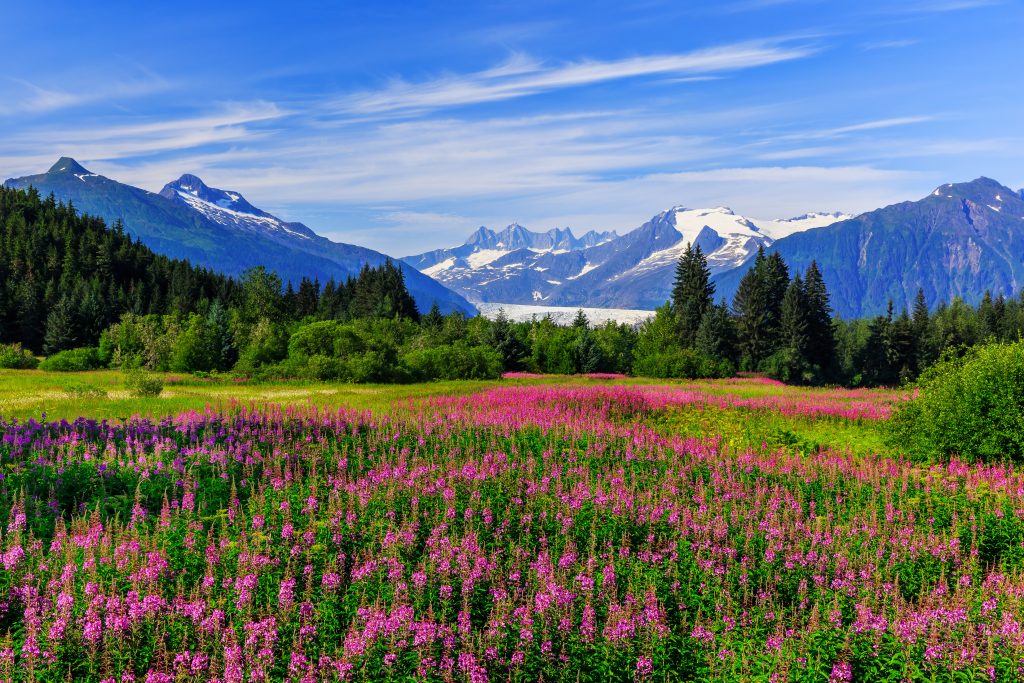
[960, 241]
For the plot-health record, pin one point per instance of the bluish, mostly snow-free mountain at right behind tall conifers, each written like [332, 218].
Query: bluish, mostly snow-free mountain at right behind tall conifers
[961, 241]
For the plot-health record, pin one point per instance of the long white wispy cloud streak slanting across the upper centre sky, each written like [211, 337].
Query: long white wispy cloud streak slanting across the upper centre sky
[522, 77]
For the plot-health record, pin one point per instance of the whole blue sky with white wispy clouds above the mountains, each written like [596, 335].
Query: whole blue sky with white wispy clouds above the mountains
[404, 126]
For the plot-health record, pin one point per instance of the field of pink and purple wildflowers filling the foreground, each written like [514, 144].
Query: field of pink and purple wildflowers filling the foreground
[592, 530]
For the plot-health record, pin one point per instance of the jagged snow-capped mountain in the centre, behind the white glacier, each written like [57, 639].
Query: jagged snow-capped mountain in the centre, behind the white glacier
[633, 271]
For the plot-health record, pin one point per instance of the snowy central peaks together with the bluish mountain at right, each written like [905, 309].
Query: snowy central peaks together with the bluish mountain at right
[960, 241]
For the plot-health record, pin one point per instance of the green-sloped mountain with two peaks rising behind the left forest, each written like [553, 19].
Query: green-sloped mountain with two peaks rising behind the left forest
[220, 230]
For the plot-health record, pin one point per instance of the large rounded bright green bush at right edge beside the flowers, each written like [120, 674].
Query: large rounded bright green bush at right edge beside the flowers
[972, 408]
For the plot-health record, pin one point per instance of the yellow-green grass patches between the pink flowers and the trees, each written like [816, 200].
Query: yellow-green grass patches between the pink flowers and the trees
[102, 395]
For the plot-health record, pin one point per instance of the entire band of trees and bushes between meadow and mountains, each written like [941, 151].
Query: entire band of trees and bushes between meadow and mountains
[90, 296]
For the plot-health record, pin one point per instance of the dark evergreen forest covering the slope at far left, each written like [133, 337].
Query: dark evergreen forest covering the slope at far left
[65, 277]
